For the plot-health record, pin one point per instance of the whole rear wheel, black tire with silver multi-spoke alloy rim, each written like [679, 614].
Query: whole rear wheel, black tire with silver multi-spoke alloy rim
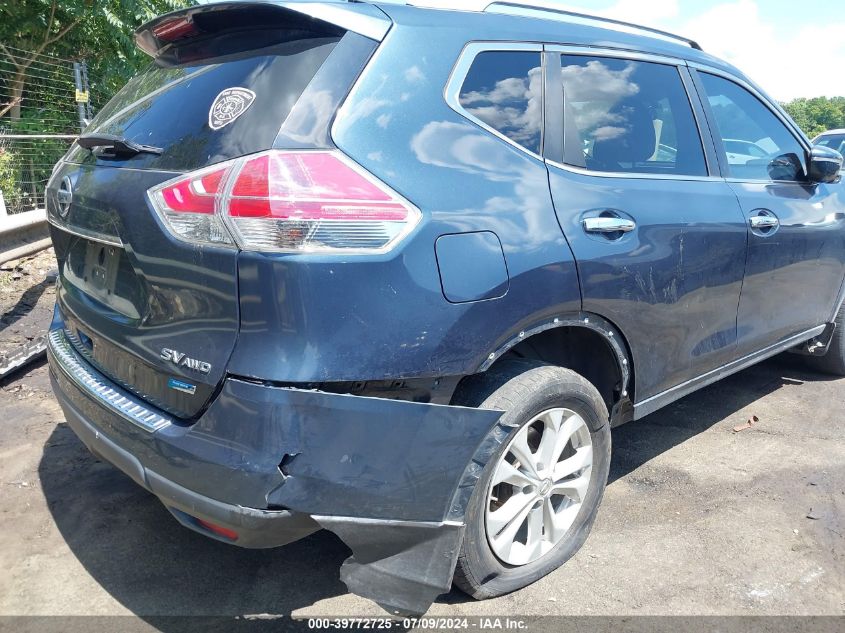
[538, 496]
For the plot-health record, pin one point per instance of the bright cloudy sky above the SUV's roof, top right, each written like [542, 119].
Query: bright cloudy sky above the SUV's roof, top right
[792, 49]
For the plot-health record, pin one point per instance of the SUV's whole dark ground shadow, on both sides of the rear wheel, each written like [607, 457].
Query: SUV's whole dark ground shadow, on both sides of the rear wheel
[130, 544]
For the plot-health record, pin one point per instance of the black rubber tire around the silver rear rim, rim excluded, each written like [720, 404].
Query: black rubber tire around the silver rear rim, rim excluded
[524, 389]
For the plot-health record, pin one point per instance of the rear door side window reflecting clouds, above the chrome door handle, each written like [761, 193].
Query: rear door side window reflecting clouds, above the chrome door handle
[628, 116]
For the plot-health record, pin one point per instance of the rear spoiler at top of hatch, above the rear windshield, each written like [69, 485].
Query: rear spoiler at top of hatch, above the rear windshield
[178, 27]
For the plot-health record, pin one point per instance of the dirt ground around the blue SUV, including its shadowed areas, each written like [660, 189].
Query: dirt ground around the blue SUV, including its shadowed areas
[697, 519]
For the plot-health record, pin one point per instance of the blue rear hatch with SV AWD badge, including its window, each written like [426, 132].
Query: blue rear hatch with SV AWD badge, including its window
[154, 313]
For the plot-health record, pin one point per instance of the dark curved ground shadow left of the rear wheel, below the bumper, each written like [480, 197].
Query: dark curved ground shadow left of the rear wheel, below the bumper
[132, 546]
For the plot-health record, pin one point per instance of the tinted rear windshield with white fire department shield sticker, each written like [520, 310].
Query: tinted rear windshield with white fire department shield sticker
[171, 107]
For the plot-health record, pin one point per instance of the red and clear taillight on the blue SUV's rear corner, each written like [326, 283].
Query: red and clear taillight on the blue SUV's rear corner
[286, 201]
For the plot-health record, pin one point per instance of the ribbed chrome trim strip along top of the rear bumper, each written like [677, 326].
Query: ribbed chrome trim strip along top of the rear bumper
[99, 388]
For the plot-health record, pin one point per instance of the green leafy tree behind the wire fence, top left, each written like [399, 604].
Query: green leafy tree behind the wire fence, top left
[97, 30]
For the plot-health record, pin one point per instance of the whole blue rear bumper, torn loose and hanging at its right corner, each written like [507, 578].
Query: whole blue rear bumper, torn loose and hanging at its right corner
[265, 466]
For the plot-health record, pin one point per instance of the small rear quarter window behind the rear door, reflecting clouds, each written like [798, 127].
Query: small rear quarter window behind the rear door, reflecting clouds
[504, 91]
